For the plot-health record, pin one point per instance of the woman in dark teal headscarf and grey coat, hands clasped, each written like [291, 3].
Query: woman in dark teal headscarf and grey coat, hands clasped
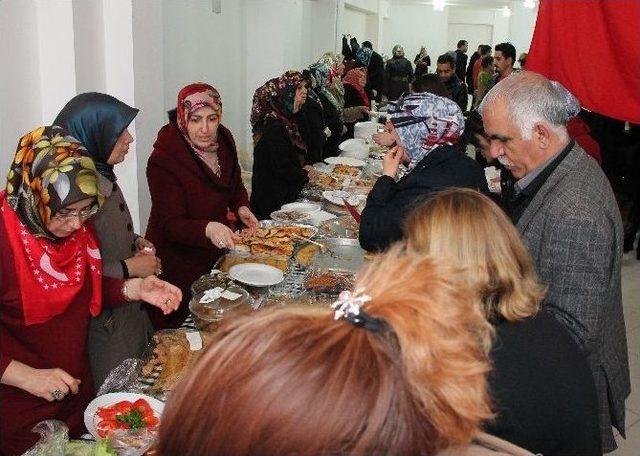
[100, 122]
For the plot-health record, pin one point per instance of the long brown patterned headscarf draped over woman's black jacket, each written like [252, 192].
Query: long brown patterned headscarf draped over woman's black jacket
[274, 101]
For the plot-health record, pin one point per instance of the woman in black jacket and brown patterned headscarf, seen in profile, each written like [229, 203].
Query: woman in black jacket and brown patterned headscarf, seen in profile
[279, 172]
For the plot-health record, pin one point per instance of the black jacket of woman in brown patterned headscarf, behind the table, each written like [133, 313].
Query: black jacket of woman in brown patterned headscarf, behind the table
[278, 176]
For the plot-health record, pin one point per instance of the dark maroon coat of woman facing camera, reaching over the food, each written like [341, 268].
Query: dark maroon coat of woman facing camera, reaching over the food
[185, 196]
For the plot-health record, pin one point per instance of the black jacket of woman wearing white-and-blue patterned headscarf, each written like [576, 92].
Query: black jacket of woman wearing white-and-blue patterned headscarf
[389, 201]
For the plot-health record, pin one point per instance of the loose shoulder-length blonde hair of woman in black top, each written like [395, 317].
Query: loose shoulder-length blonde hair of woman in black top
[468, 229]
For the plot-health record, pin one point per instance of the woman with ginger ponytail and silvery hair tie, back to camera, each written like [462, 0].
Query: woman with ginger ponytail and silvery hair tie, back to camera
[399, 369]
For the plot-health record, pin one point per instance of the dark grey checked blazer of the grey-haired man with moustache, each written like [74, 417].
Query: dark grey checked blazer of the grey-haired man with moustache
[574, 233]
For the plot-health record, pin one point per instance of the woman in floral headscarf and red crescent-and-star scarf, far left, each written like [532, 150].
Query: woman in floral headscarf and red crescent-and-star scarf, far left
[51, 276]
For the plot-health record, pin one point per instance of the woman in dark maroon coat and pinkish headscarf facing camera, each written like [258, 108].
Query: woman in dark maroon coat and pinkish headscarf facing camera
[194, 179]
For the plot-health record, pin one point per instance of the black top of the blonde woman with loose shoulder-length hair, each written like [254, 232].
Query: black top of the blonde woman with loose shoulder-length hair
[543, 389]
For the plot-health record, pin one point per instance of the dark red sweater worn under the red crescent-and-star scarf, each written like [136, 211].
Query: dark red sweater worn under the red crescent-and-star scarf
[58, 343]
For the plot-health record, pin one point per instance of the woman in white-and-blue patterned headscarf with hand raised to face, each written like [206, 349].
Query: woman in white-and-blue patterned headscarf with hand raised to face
[427, 129]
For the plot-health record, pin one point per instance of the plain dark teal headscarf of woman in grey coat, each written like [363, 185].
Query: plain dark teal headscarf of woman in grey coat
[97, 120]
